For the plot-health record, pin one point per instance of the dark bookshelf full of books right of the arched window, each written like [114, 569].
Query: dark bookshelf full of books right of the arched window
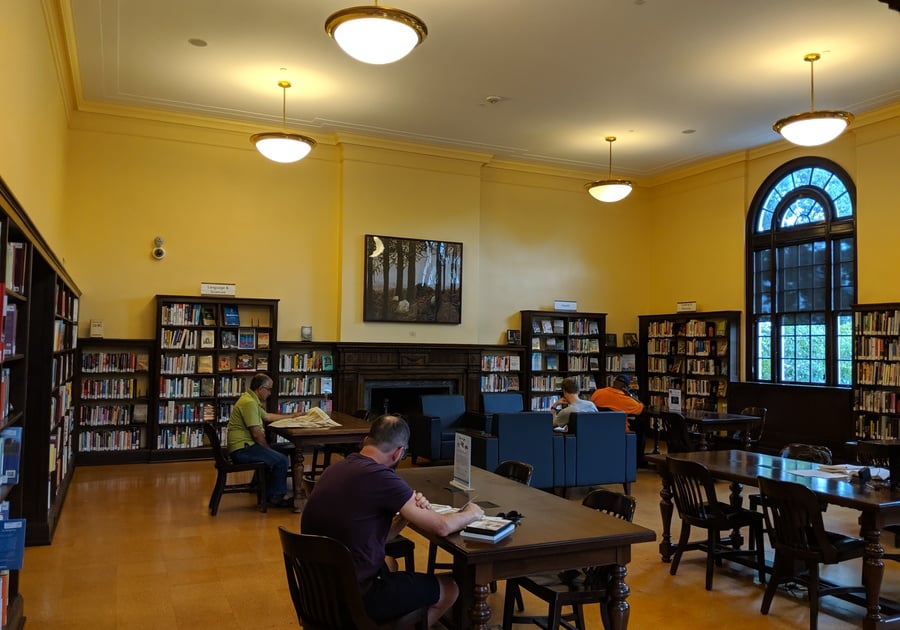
[876, 370]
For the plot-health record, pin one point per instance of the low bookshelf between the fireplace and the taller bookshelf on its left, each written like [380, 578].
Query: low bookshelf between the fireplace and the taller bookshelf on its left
[305, 376]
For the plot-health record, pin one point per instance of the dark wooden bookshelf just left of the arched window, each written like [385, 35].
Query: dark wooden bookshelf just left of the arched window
[697, 353]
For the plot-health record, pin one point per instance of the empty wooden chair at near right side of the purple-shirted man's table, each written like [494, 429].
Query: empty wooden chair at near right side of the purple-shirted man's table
[570, 588]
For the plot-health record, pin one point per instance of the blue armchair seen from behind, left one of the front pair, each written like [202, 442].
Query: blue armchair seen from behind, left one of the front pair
[526, 437]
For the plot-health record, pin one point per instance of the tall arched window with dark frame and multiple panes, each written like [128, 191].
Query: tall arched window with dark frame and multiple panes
[801, 275]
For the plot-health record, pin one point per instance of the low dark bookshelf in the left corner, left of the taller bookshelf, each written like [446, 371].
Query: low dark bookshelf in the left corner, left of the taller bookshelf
[112, 401]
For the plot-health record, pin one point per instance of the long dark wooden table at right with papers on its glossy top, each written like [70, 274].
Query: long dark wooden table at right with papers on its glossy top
[878, 508]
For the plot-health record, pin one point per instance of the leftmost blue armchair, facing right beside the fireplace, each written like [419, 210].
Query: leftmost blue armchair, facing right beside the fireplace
[432, 434]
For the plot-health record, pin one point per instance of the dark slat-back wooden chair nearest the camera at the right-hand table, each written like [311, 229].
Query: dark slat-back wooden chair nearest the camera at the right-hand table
[798, 536]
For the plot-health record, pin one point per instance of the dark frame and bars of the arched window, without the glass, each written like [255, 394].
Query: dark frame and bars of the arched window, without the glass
[831, 231]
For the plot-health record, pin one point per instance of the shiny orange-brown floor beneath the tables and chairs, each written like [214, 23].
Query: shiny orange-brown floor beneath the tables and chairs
[136, 548]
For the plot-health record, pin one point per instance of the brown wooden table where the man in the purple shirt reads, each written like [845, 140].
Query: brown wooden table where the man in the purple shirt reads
[554, 534]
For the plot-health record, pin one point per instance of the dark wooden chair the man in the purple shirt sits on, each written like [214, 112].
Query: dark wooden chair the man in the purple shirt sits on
[324, 589]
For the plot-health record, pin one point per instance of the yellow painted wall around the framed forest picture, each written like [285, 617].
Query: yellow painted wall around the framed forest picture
[102, 185]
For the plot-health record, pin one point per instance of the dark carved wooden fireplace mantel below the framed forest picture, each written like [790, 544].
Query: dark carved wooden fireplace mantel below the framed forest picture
[358, 363]
